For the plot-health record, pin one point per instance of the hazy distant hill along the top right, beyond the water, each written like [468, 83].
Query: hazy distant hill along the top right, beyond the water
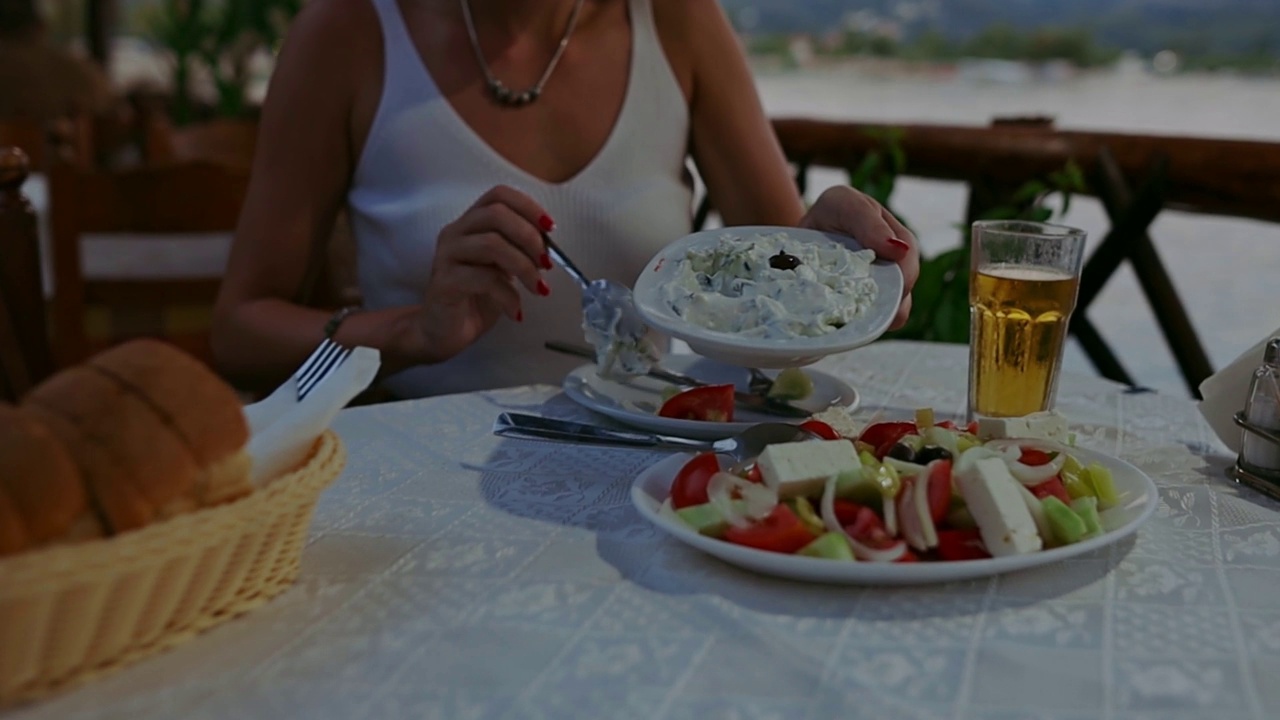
[1197, 26]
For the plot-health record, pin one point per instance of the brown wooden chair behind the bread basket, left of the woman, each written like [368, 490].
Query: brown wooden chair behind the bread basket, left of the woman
[149, 206]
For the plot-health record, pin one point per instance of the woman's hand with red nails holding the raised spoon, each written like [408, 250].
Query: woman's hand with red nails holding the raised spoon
[479, 261]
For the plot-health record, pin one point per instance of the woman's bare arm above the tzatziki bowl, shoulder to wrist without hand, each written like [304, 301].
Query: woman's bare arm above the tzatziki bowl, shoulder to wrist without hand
[735, 148]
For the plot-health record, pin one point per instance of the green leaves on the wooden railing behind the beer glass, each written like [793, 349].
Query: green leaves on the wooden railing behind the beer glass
[940, 309]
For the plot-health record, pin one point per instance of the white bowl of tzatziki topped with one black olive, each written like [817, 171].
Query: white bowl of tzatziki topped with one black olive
[769, 297]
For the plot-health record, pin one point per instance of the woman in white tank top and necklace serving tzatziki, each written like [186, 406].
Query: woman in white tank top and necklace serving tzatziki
[454, 131]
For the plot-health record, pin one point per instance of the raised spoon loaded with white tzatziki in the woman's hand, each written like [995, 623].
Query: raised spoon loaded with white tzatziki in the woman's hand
[610, 320]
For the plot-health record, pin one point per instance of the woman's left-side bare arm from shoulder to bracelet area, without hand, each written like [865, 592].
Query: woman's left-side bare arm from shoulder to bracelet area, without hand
[301, 172]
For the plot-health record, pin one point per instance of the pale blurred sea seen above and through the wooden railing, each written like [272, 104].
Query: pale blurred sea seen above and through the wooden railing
[1224, 270]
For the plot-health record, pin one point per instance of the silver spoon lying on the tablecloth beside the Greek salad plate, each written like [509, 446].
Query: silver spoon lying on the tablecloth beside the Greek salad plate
[744, 446]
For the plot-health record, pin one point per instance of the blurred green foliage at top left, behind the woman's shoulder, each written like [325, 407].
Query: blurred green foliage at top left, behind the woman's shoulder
[221, 38]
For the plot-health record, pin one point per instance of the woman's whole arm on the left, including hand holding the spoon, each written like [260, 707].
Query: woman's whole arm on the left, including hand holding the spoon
[316, 121]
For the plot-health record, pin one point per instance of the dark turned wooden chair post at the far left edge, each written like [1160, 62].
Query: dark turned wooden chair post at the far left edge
[25, 353]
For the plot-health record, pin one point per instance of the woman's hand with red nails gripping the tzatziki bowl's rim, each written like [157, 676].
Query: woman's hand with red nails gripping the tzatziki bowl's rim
[845, 211]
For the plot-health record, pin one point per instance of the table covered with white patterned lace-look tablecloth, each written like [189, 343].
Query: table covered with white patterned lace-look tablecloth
[455, 575]
